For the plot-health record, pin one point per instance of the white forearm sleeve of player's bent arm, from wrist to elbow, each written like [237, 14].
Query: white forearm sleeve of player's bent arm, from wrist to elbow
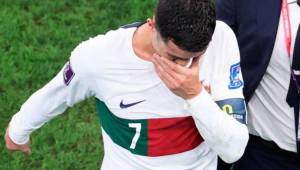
[225, 135]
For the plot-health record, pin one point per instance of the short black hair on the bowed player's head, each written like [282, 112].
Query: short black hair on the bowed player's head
[188, 23]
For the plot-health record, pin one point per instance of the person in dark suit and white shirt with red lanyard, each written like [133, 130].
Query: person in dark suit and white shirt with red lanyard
[269, 40]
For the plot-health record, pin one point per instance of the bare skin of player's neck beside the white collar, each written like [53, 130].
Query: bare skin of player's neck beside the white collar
[142, 44]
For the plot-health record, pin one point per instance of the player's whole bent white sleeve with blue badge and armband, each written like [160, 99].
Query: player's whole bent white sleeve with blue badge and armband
[223, 132]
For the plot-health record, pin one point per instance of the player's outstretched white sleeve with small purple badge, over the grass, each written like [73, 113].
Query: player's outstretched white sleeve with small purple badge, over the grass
[63, 91]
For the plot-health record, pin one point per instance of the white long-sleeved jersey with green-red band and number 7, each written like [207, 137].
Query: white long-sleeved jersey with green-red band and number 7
[144, 125]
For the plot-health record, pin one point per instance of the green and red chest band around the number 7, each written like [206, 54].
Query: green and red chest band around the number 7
[158, 137]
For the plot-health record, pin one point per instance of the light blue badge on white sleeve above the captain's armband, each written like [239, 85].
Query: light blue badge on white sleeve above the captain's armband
[235, 81]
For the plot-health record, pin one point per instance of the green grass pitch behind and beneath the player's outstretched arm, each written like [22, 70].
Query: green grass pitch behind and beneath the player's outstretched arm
[36, 39]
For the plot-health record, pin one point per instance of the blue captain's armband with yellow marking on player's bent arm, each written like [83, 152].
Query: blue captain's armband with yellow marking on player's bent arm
[235, 107]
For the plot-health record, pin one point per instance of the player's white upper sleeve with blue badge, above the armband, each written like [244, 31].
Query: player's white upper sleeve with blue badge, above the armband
[221, 62]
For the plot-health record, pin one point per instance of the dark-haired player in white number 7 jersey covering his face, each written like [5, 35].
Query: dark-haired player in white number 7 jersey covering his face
[148, 80]
